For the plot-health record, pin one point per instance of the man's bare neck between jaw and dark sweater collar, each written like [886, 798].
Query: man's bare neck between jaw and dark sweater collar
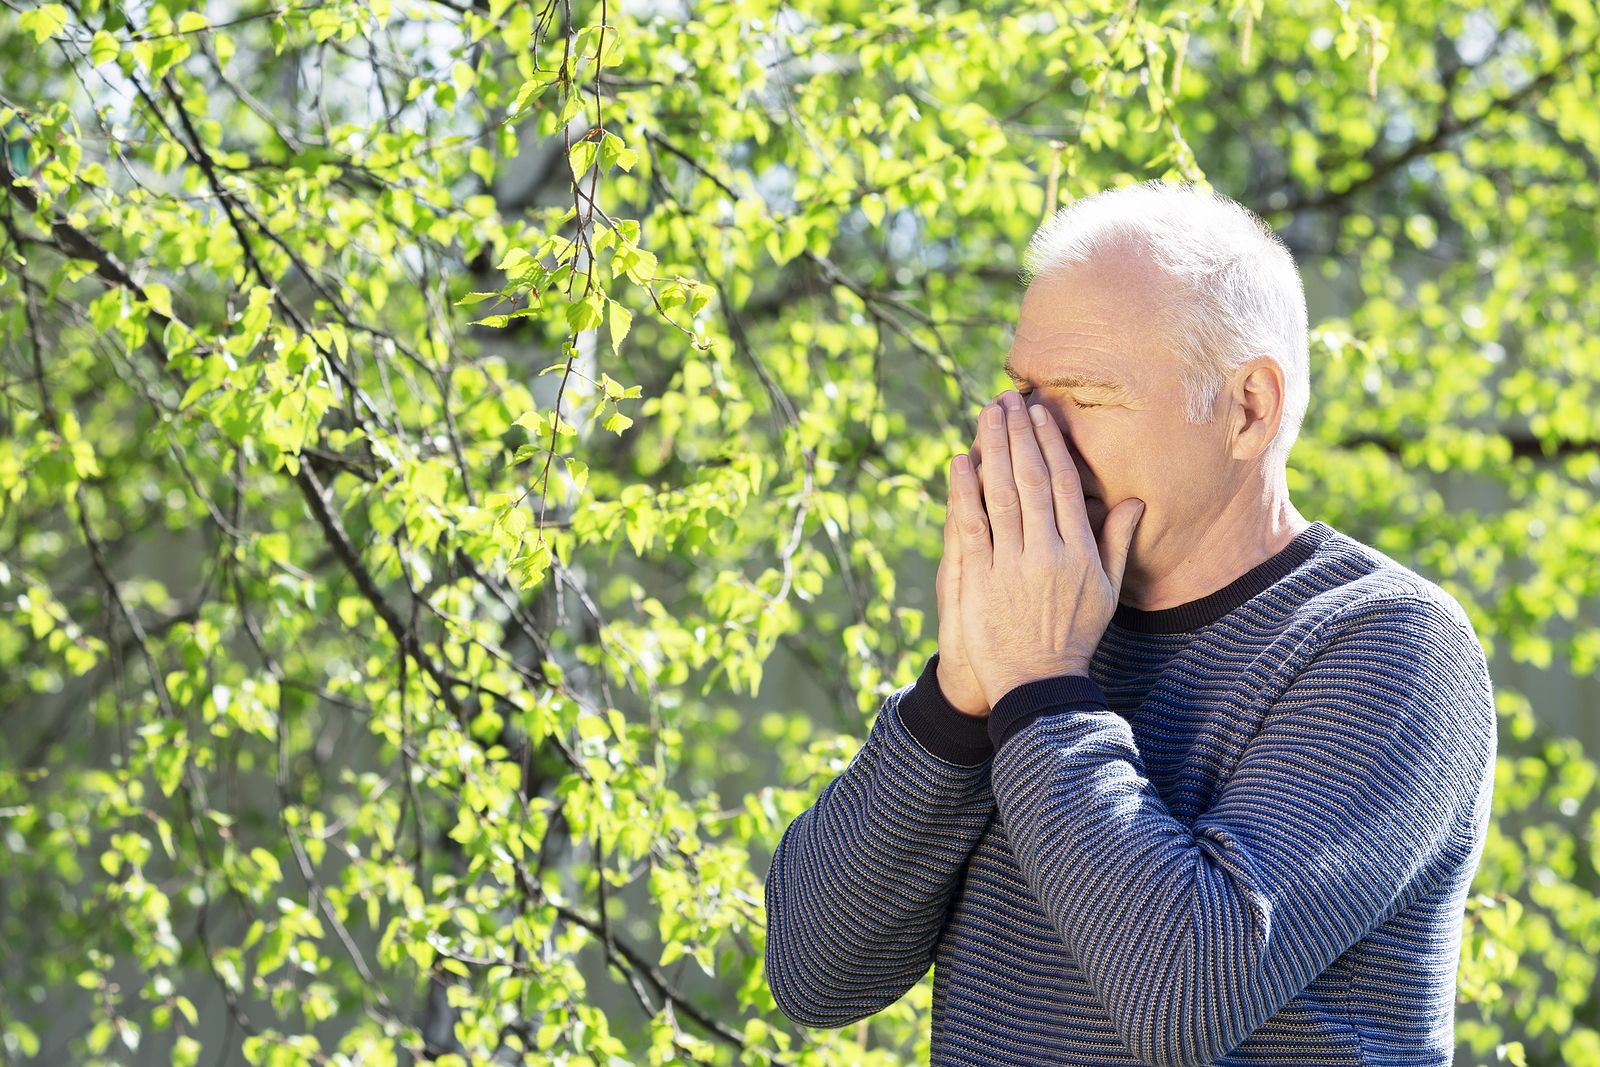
[1199, 556]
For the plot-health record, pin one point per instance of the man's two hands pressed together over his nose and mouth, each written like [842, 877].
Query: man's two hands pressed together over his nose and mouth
[1038, 589]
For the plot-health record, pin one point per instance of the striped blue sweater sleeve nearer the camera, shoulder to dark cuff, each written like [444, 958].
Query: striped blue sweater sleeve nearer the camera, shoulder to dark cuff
[1367, 783]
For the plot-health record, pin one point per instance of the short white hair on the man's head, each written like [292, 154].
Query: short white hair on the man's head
[1239, 292]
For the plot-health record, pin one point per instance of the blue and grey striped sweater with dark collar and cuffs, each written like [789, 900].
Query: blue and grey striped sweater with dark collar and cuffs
[1244, 837]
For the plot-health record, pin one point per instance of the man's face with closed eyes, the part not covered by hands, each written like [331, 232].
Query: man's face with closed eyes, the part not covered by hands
[1087, 350]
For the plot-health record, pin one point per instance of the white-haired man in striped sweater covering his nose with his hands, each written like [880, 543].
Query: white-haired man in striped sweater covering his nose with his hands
[1191, 780]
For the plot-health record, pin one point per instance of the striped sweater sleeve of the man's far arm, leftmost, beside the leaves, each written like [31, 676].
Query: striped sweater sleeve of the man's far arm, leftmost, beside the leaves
[862, 881]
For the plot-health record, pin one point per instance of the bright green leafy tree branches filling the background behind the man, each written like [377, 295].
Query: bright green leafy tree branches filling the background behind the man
[428, 422]
